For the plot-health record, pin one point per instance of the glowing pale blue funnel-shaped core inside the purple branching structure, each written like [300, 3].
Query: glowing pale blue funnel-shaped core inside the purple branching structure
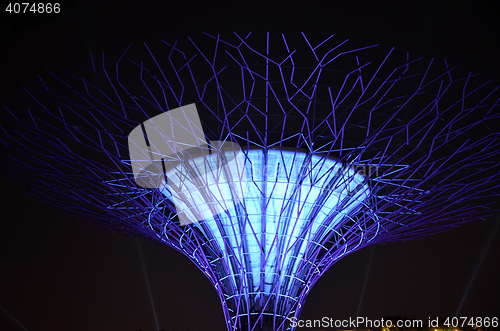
[293, 201]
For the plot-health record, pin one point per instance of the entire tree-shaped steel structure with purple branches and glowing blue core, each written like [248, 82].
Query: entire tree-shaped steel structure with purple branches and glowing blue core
[340, 149]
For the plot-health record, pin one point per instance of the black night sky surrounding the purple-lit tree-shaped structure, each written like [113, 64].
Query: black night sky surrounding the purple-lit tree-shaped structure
[58, 272]
